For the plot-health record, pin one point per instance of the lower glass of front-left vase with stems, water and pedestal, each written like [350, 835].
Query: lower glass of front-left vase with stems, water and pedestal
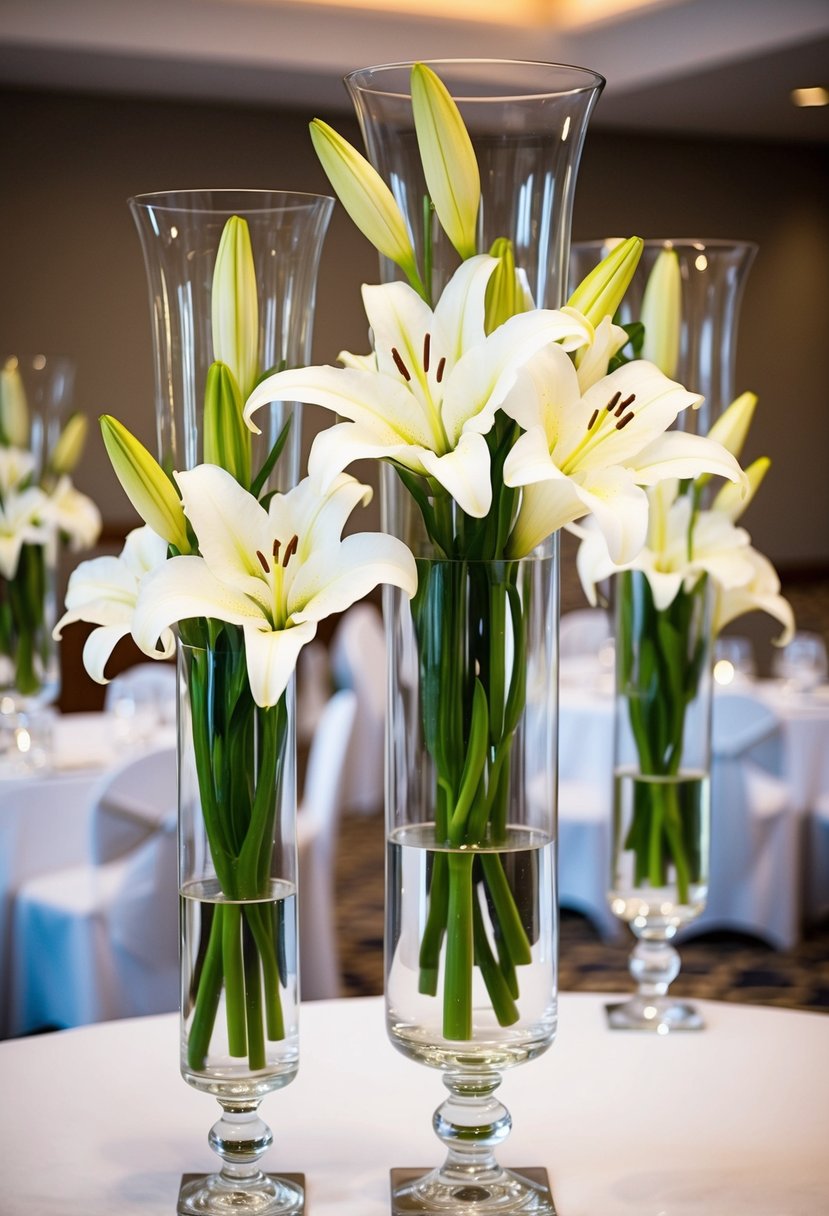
[238, 869]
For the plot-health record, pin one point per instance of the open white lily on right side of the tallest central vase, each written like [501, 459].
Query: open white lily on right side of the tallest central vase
[593, 454]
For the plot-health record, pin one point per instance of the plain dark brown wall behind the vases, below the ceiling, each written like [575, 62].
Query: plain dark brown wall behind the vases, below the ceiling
[74, 278]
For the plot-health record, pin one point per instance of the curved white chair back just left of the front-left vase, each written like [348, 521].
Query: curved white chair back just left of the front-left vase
[131, 804]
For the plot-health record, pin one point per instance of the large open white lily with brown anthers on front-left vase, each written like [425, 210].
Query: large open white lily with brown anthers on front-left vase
[274, 572]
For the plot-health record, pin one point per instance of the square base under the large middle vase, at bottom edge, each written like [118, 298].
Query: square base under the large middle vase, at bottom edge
[532, 1195]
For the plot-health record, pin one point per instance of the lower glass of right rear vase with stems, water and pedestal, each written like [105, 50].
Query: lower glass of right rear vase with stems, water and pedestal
[662, 789]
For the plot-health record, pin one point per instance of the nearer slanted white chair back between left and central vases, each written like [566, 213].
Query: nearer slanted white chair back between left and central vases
[317, 847]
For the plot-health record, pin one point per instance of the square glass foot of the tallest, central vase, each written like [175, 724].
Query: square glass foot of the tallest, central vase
[509, 1191]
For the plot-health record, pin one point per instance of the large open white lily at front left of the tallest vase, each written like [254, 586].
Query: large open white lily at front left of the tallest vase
[435, 389]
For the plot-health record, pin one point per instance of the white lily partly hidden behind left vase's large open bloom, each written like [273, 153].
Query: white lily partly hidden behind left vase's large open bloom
[105, 590]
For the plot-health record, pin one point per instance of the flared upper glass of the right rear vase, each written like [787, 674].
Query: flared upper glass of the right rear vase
[714, 275]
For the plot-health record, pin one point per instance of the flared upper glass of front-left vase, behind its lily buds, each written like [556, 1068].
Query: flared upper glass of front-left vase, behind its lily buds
[181, 235]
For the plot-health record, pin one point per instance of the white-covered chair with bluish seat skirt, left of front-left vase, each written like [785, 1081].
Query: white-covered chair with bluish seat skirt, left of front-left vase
[100, 941]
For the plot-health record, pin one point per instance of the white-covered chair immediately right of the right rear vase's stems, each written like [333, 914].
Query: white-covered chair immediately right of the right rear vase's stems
[754, 881]
